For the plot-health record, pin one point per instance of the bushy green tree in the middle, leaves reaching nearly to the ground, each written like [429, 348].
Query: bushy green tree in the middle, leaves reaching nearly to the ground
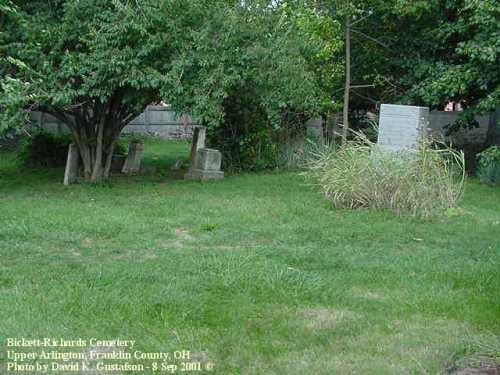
[241, 74]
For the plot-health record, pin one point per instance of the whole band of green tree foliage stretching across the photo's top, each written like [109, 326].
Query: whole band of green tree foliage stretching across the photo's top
[95, 64]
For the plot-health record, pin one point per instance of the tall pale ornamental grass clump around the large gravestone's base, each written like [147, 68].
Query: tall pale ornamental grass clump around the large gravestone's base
[416, 183]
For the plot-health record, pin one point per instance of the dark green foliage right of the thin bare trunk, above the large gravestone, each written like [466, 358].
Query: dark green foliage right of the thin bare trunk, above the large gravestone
[424, 52]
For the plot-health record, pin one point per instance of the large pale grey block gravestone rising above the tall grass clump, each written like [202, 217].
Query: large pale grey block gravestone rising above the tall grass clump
[401, 127]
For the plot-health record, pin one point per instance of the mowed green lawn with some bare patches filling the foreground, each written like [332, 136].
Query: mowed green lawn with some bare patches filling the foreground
[255, 273]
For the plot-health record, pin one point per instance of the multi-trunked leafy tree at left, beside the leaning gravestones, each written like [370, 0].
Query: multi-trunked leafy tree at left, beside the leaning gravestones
[78, 61]
